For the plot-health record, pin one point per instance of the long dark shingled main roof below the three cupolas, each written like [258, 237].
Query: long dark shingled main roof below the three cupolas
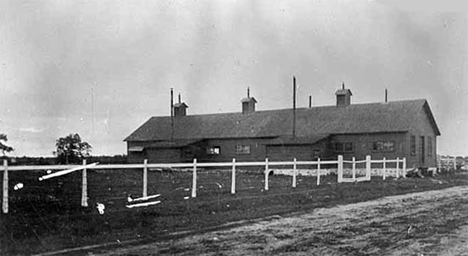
[396, 116]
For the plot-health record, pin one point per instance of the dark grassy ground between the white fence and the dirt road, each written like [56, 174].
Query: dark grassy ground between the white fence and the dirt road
[47, 216]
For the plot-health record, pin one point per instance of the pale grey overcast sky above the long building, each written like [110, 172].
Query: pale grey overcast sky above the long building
[102, 68]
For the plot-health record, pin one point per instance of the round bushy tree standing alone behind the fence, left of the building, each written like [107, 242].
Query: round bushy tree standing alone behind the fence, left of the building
[71, 149]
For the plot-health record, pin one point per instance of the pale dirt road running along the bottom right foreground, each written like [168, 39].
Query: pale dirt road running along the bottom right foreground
[427, 223]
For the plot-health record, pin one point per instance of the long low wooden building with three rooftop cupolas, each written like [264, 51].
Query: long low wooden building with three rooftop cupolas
[388, 129]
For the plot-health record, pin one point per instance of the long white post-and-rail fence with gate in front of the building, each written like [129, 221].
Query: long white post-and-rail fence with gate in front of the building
[65, 169]
